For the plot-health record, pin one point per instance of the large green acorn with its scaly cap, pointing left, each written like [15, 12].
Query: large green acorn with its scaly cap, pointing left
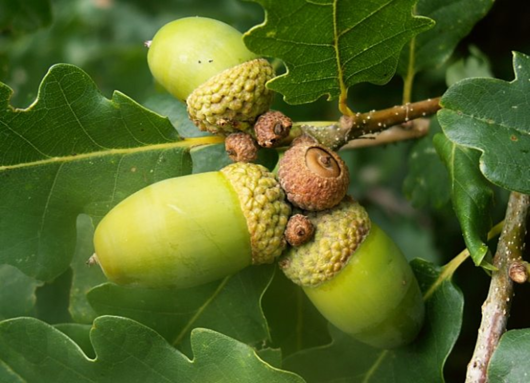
[194, 229]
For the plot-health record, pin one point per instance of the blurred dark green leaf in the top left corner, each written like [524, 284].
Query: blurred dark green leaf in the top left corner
[17, 17]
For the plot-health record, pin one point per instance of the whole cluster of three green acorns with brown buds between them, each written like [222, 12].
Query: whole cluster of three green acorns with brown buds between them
[195, 229]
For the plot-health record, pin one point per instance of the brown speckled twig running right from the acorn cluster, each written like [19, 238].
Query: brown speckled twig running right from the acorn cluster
[359, 125]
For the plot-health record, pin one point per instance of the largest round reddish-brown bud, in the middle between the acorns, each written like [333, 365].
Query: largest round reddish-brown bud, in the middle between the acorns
[313, 177]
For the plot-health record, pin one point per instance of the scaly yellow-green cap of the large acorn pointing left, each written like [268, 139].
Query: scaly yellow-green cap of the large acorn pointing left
[264, 207]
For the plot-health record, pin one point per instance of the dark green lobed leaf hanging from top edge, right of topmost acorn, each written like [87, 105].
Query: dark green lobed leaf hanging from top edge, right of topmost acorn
[329, 45]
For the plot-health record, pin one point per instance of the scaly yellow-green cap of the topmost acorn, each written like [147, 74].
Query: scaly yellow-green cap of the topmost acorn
[232, 99]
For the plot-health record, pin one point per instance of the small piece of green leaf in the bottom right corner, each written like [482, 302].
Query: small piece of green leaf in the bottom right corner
[509, 362]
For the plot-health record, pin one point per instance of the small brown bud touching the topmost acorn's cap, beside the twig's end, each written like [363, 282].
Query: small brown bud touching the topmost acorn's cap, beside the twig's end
[271, 128]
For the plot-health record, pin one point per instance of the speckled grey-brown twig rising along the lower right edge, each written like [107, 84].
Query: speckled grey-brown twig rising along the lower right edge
[496, 308]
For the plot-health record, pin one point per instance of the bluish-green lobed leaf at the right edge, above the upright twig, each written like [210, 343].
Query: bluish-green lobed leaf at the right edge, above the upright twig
[493, 116]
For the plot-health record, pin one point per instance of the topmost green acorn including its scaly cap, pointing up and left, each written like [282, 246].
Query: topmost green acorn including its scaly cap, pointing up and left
[206, 63]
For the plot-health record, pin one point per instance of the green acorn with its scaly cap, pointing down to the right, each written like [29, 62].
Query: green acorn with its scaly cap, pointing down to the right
[357, 277]
